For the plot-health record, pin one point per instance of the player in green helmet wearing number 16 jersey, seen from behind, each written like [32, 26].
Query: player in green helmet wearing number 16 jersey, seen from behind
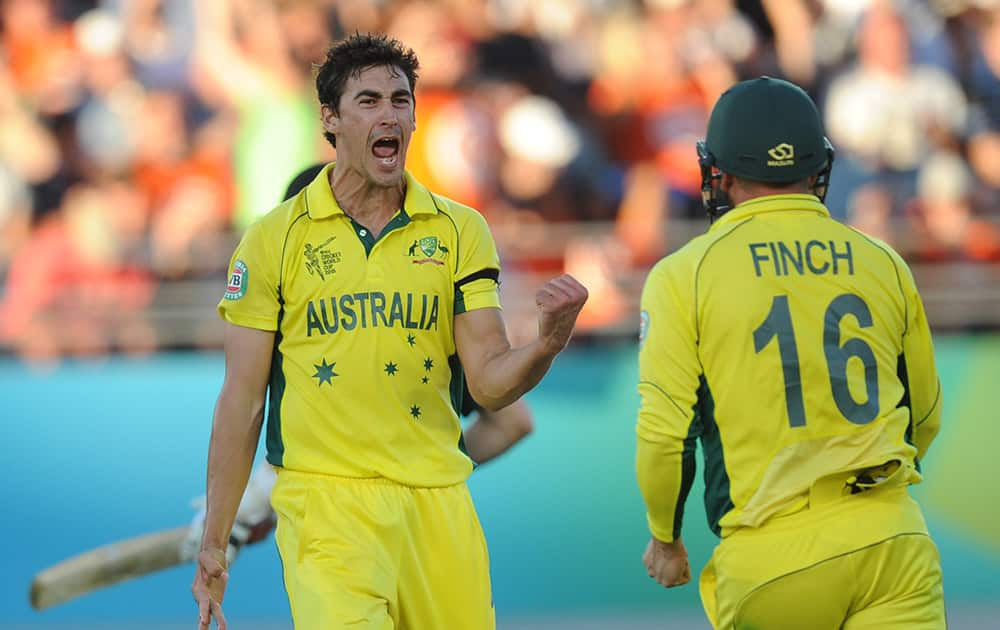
[797, 351]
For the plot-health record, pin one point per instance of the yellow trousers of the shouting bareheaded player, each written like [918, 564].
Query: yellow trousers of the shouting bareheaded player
[370, 554]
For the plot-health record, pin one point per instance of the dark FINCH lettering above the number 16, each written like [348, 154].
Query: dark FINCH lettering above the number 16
[815, 257]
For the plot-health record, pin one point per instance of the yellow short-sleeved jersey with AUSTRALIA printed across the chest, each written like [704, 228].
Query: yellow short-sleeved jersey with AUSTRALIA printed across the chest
[365, 379]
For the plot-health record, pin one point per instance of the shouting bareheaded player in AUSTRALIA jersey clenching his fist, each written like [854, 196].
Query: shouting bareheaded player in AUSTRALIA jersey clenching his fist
[354, 309]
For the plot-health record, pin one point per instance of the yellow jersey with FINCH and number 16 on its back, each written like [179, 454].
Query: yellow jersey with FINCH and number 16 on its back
[794, 348]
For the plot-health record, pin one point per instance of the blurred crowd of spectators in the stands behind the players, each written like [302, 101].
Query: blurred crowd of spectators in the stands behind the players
[138, 138]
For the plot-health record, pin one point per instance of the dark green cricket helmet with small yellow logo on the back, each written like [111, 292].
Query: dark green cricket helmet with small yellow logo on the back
[766, 130]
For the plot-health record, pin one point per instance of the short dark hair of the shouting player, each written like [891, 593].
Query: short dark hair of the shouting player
[351, 56]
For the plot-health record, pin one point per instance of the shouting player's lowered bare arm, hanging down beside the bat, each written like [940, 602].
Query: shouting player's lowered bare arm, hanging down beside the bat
[236, 425]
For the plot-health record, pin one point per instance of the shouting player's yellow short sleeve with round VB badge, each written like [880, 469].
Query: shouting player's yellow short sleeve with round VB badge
[251, 295]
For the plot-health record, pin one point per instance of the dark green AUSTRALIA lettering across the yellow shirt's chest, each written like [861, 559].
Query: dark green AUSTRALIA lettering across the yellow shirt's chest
[371, 309]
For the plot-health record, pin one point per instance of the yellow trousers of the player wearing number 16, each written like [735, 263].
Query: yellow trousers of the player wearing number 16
[861, 562]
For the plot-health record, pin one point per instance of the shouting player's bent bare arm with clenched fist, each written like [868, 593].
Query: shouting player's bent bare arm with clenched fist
[499, 374]
